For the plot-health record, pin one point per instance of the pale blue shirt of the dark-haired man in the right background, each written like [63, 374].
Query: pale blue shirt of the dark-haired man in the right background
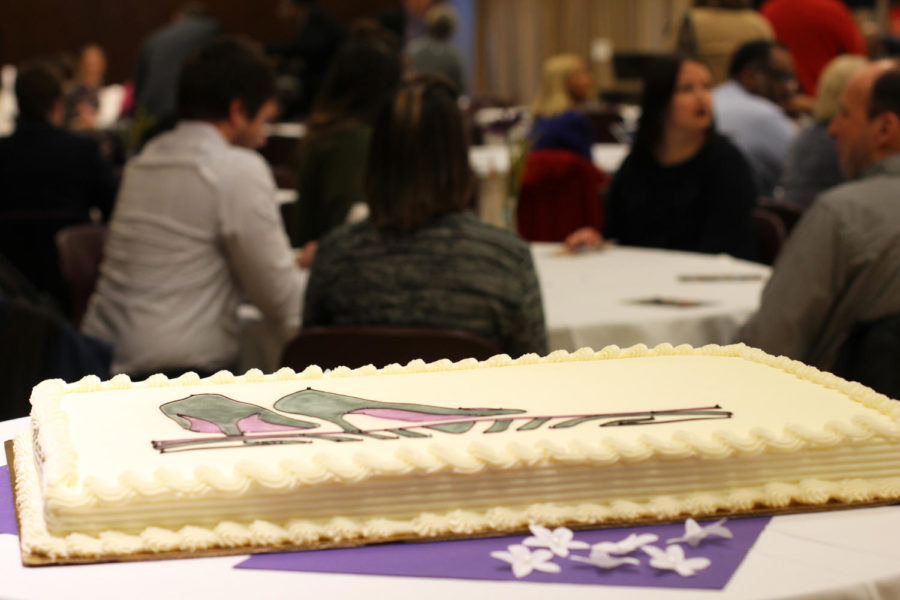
[758, 127]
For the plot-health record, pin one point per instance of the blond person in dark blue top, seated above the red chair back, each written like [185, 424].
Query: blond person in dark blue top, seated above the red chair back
[558, 123]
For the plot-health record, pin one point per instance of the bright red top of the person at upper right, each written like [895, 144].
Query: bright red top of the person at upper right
[815, 31]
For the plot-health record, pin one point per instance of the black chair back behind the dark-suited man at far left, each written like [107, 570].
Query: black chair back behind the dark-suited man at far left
[27, 242]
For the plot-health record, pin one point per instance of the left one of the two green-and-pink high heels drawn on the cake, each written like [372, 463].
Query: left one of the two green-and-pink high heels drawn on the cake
[214, 413]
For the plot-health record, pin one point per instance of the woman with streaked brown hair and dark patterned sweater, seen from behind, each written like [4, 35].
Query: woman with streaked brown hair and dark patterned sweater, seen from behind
[420, 260]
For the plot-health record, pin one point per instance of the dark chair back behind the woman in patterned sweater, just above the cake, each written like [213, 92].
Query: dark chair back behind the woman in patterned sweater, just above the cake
[331, 347]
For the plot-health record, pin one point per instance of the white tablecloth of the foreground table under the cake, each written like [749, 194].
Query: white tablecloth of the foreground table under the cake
[839, 555]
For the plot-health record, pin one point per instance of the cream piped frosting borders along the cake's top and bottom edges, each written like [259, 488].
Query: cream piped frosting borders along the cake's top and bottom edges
[51, 427]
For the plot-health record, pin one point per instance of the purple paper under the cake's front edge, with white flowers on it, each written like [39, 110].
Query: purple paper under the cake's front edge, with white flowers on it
[470, 559]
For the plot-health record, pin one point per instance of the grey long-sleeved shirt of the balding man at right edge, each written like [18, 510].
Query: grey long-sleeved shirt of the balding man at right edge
[841, 266]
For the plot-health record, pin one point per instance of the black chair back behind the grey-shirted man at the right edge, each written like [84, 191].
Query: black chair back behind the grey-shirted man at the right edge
[871, 356]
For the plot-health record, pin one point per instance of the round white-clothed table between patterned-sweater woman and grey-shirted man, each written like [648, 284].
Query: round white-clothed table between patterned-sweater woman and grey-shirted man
[625, 296]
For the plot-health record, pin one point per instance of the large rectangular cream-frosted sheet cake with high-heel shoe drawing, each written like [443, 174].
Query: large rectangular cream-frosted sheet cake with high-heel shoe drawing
[309, 460]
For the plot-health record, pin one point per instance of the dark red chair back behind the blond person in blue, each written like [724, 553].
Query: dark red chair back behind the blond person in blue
[560, 192]
